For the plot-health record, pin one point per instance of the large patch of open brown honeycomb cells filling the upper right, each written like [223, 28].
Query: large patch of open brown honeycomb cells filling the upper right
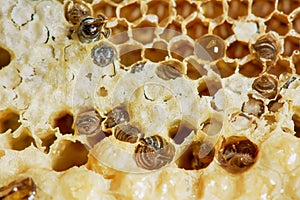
[206, 37]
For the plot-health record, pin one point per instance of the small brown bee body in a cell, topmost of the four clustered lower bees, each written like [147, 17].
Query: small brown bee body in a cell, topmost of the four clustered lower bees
[116, 116]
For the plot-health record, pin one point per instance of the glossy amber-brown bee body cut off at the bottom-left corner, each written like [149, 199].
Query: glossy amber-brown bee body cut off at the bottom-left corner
[23, 188]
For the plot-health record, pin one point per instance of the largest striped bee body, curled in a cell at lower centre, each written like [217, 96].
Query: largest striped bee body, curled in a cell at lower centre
[153, 152]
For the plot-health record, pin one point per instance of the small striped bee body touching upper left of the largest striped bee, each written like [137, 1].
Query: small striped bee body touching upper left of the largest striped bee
[127, 133]
